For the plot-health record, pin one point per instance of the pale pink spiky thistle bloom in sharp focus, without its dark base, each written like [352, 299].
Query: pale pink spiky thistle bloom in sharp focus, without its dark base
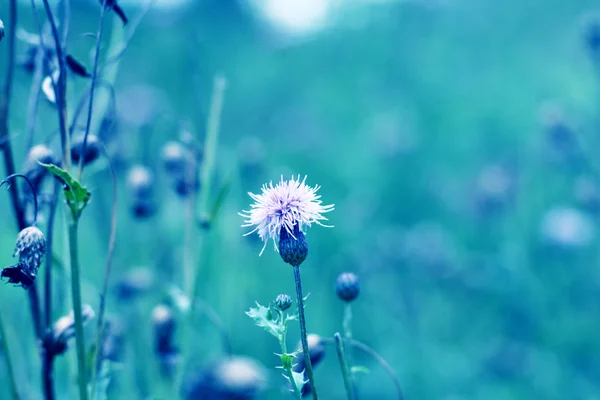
[283, 206]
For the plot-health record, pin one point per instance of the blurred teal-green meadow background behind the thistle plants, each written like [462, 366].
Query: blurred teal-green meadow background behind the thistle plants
[435, 129]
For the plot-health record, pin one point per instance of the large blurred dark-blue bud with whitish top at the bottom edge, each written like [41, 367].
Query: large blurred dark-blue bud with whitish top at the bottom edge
[235, 378]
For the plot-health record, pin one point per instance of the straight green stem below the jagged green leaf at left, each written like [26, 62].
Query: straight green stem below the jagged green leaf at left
[76, 293]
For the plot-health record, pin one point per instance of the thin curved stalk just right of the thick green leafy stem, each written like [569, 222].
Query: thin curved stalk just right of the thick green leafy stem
[109, 255]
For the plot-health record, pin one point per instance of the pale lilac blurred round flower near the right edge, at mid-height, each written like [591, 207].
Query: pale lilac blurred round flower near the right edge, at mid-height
[567, 228]
